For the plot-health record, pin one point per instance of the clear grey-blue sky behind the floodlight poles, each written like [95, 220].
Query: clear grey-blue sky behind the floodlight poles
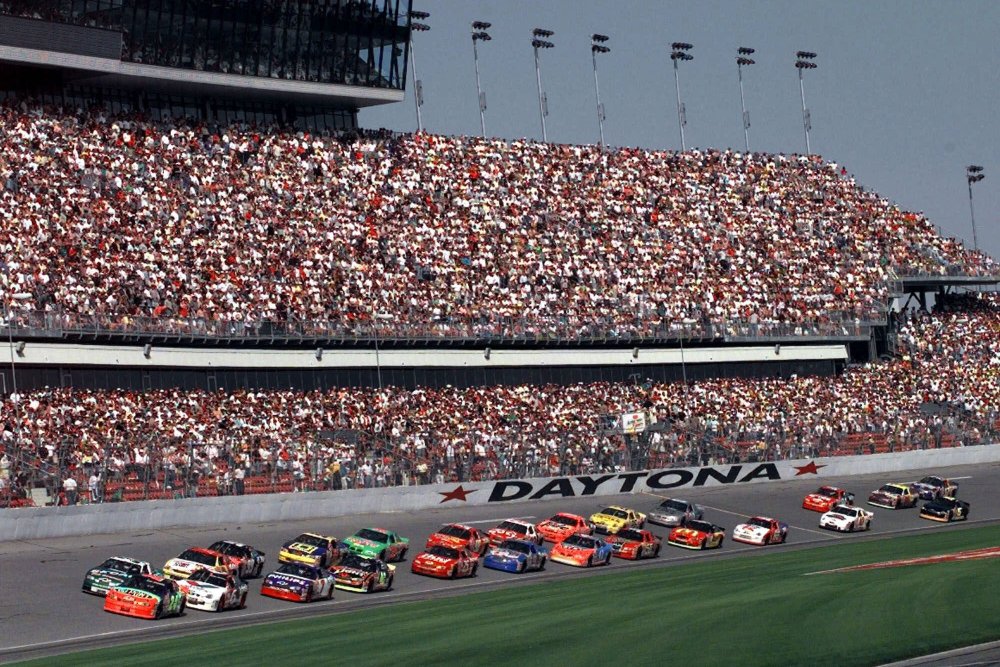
[906, 94]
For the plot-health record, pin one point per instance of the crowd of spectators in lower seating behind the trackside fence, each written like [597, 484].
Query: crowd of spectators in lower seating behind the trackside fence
[944, 383]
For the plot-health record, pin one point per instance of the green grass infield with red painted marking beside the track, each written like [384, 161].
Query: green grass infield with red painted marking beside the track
[749, 611]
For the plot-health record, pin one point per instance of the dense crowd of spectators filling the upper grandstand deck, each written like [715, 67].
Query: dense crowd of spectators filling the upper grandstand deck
[116, 219]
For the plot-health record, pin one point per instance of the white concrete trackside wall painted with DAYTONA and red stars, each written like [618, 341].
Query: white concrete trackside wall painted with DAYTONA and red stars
[43, 522]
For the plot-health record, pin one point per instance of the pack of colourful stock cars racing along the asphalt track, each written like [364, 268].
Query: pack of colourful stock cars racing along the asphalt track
[313, 565]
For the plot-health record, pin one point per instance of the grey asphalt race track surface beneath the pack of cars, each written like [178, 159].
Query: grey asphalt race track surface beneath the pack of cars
[43, 611]
